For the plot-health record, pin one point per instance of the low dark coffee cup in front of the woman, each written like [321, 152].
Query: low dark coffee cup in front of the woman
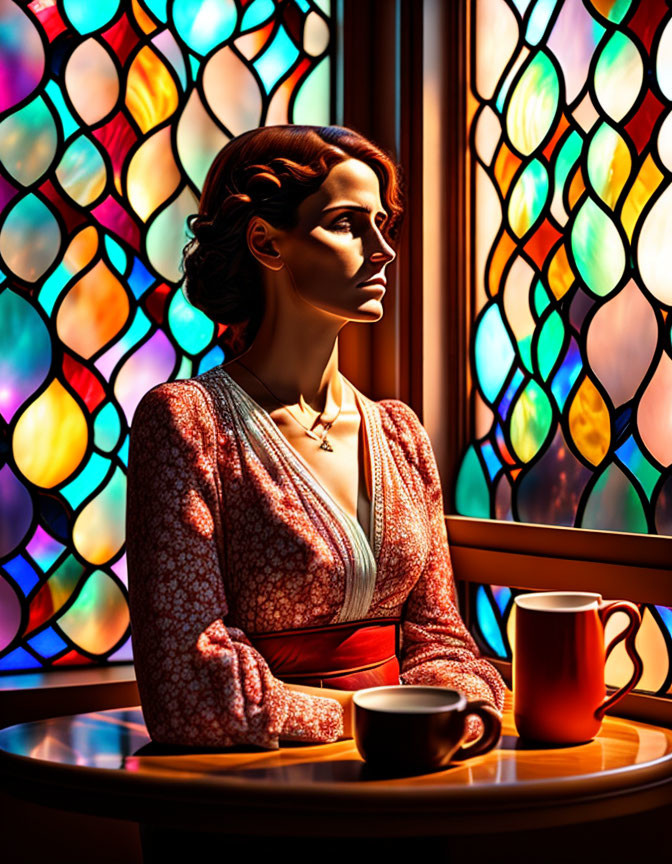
[410, 727]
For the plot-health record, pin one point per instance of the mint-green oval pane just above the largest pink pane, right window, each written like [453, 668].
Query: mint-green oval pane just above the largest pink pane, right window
[598, 249]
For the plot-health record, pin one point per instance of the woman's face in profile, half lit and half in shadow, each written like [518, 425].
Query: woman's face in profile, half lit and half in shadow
[336, 254]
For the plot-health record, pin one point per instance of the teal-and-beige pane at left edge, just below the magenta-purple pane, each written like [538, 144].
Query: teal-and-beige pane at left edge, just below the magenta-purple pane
[28, 141]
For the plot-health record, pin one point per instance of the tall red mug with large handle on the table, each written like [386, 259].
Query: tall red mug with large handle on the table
[559, 694]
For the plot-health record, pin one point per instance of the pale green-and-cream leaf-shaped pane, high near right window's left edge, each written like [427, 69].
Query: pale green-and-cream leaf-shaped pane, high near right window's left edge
[533, 104]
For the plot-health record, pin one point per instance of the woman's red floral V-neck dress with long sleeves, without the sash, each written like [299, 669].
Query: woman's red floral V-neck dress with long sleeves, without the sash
[229, 534]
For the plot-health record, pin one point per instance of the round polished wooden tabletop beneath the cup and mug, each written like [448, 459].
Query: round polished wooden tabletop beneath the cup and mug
[104, 763]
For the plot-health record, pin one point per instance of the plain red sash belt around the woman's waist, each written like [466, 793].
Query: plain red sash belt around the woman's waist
[347, 656]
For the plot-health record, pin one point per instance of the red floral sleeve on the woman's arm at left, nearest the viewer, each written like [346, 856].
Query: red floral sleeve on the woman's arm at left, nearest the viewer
[201, 682]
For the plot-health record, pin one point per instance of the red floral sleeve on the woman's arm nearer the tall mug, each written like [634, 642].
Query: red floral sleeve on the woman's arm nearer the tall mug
[437, 648]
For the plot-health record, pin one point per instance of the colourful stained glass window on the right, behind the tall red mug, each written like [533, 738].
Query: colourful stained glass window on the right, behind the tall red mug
[571, 358]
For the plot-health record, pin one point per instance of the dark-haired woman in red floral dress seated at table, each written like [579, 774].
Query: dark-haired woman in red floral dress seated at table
[286, 538]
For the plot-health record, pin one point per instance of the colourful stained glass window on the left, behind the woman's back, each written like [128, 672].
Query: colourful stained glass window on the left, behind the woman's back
[111, 113]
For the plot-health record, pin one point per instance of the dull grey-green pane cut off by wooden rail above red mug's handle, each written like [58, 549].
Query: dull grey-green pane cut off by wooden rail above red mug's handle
[614, 504]
